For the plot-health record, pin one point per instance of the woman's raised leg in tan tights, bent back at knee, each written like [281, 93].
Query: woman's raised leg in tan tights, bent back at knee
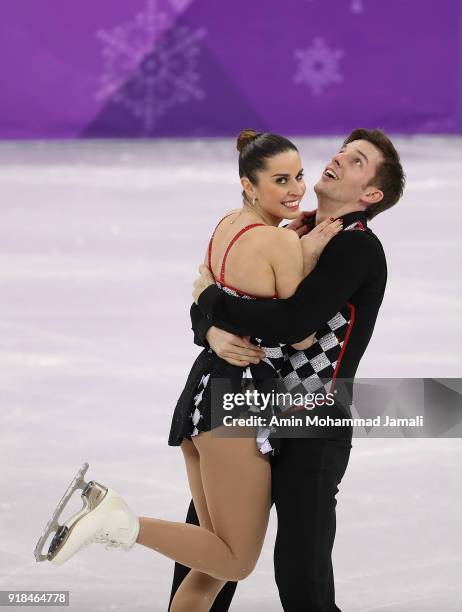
[237, 484]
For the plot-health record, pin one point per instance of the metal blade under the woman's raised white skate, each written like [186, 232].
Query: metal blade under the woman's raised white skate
[92, 493]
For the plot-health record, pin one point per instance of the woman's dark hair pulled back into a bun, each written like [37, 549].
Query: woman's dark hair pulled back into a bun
[255, 148]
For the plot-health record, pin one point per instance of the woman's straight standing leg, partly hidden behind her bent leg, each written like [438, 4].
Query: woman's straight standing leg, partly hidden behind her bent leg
[198, 590]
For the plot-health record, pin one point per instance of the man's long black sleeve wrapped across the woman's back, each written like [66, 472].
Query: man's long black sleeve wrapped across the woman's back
[346, 263]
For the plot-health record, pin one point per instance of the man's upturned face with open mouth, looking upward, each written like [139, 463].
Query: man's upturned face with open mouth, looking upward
[350, 172]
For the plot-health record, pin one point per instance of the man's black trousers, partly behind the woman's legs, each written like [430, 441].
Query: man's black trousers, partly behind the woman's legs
[305, 479]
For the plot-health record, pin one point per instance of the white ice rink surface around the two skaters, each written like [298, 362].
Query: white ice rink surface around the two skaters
[99, 243]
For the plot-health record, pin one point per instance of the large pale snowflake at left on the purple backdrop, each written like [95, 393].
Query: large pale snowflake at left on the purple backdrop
[149, 68]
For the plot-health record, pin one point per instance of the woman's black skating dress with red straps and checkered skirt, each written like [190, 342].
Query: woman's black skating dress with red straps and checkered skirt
[193, 412]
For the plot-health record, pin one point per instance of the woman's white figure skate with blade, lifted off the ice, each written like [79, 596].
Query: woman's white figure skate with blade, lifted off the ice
[104, 518]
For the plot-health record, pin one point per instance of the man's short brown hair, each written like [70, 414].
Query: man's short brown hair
[389, 177]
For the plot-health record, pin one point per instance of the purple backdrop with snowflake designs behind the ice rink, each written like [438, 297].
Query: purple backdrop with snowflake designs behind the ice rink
[145, 68]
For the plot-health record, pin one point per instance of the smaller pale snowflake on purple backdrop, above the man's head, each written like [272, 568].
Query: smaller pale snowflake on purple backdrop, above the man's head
[318, 66]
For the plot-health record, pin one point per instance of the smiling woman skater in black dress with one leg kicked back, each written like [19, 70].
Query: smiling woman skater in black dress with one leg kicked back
[229, 477]
